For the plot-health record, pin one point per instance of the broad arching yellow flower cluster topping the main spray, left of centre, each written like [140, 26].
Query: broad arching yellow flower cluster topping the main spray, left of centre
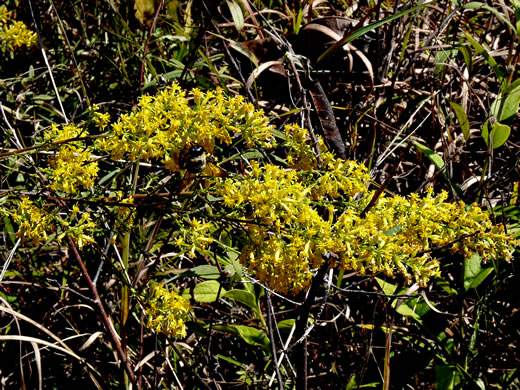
[165, 125]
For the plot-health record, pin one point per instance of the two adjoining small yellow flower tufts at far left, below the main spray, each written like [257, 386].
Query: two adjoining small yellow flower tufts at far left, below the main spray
[36, 225]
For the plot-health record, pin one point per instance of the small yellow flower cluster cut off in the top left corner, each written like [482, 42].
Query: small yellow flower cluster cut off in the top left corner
[14, 34]
